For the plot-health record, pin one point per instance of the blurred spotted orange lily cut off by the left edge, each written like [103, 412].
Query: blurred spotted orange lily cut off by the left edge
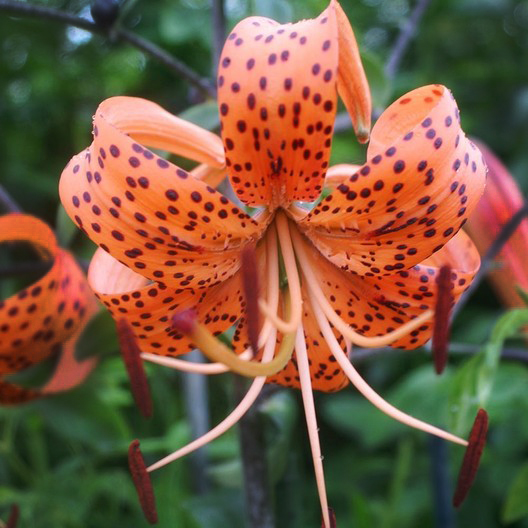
[45, 318]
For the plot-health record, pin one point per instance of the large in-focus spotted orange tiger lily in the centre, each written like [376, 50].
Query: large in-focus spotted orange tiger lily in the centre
[357, 267]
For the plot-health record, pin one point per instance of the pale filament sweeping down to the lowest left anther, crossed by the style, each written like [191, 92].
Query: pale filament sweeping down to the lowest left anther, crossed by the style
[237, 413]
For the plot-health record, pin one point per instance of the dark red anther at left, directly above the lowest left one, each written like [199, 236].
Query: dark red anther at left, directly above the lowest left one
[131, 354]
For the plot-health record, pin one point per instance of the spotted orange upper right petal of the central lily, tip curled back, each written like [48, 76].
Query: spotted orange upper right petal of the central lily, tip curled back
[422, 180]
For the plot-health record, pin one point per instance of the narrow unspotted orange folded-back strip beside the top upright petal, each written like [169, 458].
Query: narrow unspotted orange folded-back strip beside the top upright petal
[352, 83]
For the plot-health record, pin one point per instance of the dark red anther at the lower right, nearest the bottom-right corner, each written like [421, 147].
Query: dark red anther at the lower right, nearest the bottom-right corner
[470, 464]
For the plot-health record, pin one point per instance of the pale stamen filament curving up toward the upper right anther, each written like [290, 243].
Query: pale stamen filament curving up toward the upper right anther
[347, 332]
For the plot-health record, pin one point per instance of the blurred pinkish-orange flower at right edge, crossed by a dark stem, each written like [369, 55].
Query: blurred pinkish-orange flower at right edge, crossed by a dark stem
[501, 200]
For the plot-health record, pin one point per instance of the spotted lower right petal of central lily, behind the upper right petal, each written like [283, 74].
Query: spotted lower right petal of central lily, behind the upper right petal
[376, 305]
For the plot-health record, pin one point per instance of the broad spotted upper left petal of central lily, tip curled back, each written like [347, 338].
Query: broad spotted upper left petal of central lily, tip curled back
[145, 211]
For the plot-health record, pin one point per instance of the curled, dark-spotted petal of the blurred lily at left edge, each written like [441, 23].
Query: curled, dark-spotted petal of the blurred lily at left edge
[36, 321]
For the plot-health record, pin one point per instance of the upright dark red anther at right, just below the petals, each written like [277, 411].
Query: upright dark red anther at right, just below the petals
[441, 330]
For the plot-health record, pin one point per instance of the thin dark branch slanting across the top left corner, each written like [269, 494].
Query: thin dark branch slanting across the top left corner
[17, 8]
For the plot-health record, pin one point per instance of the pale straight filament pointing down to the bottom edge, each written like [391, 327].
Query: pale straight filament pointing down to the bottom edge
[311, 420]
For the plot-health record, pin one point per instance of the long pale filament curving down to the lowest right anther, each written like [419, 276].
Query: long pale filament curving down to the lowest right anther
[364, 388]
